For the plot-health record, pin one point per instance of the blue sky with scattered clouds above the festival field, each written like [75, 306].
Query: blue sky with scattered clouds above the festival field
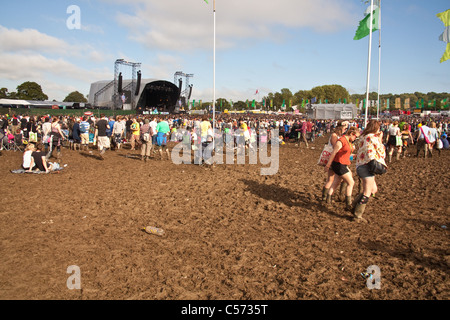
[261, 45]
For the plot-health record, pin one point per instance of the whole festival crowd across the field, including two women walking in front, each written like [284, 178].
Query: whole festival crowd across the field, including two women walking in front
[373, 146]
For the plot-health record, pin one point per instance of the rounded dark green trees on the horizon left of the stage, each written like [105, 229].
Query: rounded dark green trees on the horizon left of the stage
[33, 91]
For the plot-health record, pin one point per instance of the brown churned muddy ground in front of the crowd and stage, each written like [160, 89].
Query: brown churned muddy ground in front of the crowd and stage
[231, 233]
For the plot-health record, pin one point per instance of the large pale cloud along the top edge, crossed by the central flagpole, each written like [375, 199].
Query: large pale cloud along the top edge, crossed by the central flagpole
[187, 25]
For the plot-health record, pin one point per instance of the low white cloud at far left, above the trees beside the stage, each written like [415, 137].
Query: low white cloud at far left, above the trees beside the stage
[29, 55]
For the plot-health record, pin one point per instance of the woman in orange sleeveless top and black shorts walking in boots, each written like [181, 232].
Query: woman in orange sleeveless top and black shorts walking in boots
[339, 162]
